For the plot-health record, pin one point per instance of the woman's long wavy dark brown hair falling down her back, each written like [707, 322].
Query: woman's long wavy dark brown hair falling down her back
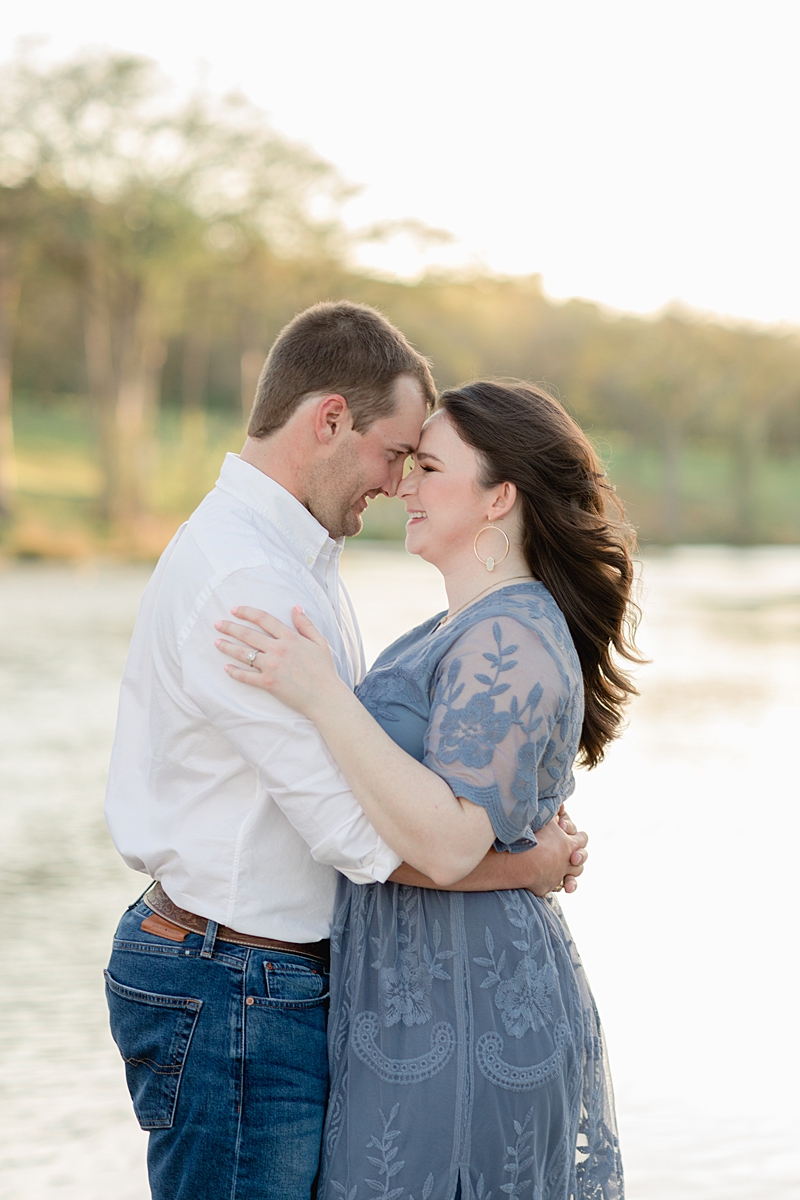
[576, 538]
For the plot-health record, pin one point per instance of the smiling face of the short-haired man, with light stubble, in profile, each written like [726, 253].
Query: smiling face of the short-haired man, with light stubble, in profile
[368, 465]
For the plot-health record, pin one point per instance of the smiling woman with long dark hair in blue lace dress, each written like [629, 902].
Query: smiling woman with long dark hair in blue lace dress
[466, 1051]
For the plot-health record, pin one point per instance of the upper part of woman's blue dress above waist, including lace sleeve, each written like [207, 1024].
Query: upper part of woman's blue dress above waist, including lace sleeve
[492, 701]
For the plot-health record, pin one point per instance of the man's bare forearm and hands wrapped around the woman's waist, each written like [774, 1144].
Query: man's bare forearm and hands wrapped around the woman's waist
[558, 857]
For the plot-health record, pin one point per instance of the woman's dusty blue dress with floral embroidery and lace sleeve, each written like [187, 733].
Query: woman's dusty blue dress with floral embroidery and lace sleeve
[465, 1043]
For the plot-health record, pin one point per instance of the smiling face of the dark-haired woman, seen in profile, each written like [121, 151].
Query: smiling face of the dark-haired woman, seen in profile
[446, 503]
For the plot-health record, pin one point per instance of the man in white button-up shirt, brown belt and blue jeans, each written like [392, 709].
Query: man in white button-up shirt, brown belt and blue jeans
[218, 981]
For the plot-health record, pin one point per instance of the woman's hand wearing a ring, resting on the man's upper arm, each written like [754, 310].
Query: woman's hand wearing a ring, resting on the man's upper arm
[294, 665]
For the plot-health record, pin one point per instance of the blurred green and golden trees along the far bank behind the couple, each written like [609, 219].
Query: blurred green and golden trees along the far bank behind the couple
[151, 253]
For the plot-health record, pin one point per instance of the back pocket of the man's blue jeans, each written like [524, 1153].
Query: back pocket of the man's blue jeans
[153, 1034]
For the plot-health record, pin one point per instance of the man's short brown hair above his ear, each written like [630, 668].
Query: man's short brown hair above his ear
[336, 347]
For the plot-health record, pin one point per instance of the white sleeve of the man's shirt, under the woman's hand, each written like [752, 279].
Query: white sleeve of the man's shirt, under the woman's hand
[285, 749]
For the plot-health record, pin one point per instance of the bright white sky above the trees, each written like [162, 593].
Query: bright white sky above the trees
[633, 152]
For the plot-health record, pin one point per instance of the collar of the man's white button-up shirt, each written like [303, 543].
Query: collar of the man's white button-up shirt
[281, 511]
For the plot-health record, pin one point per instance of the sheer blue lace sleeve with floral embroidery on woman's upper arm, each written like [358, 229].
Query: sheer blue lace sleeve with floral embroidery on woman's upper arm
[500, 728]
